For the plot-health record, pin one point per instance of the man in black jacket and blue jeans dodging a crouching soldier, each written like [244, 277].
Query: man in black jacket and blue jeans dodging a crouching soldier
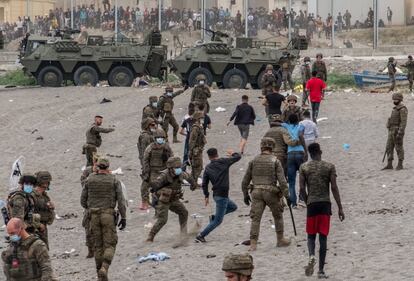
[217, 172]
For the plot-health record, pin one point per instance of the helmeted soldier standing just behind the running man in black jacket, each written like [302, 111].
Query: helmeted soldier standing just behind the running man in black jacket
[196, 145]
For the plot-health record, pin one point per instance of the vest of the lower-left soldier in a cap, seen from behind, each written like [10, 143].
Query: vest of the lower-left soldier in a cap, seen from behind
[101, 191]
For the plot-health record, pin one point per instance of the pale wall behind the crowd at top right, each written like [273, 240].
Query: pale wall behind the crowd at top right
[359, 9]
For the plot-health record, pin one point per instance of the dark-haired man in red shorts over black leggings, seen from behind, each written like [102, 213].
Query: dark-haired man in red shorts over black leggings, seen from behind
[316, 179]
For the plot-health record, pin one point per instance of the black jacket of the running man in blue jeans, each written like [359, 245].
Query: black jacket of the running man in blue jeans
[217, 172]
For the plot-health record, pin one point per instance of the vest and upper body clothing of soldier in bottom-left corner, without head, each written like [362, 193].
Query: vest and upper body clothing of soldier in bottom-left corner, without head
[19, 263]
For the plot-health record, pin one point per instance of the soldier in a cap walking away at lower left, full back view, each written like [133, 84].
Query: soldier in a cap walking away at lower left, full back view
[101, 194]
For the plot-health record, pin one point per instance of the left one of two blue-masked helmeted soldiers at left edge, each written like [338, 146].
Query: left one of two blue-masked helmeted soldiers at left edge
[20, 204]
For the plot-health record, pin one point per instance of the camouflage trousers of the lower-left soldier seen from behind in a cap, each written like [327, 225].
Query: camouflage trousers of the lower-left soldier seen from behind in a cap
[103, 230]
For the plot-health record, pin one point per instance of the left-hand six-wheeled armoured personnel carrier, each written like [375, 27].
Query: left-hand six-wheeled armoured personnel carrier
[97, 58]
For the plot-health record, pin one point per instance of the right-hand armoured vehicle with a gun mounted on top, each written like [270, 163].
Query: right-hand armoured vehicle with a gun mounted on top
[234, 67]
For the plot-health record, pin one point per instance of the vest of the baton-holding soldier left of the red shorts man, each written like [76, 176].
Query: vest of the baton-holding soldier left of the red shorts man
[263, 172]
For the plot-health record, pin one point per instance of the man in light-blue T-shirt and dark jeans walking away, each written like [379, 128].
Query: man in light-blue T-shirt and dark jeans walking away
[296, 156]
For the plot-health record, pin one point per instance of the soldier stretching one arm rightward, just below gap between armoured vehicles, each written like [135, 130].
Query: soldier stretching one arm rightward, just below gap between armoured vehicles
[166, 106]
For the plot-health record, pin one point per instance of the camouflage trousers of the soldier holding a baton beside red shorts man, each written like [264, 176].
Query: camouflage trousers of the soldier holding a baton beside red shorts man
[260, 199]
